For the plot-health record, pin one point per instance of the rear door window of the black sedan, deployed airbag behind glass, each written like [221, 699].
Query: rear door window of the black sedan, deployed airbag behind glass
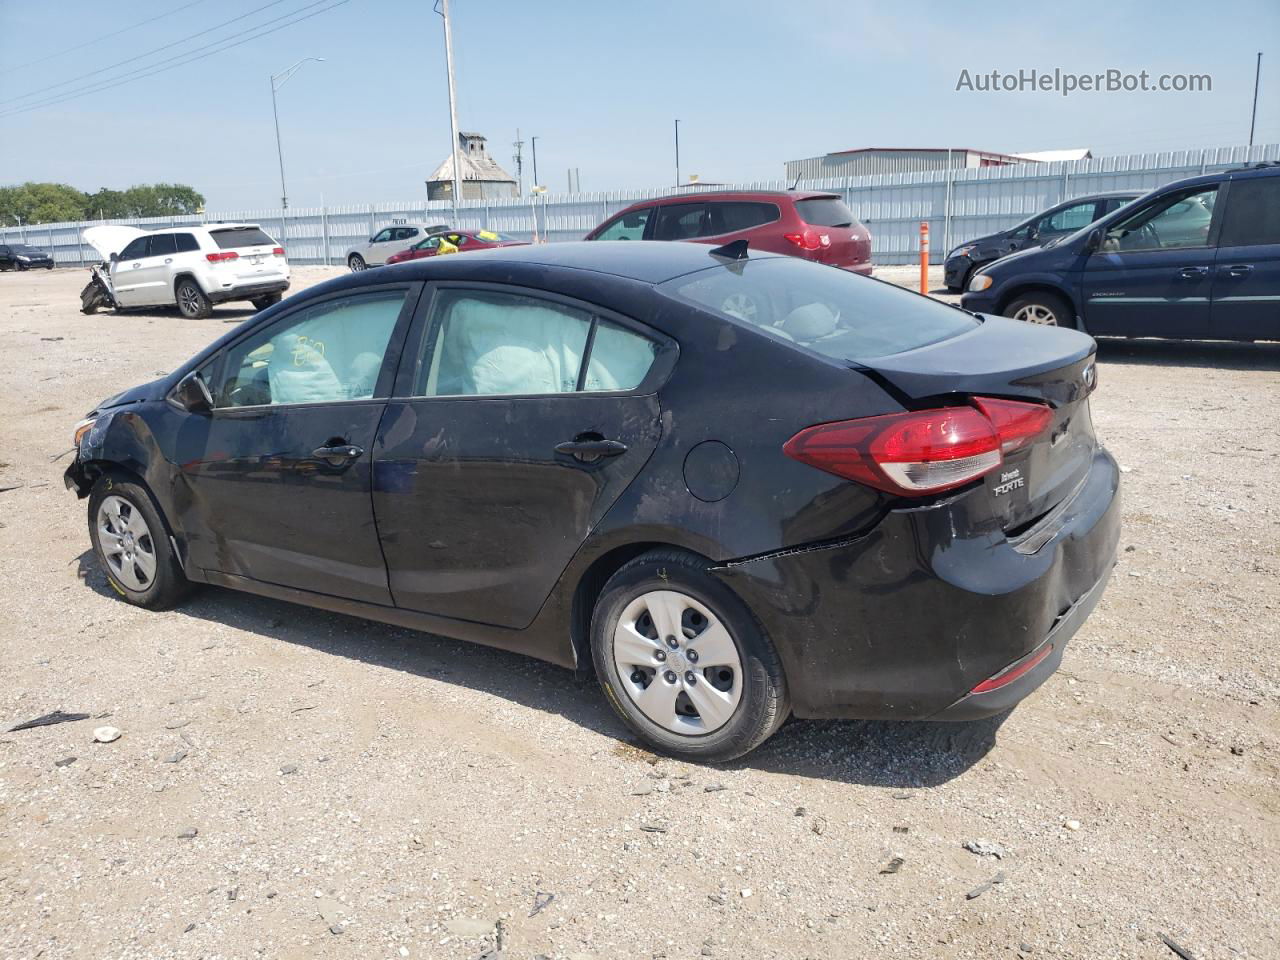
[484, 344]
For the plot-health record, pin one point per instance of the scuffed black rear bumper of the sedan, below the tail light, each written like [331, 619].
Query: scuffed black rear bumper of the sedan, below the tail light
[907, 620]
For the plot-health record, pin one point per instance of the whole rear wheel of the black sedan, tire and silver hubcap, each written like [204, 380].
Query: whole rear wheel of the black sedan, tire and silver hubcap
[683, 661]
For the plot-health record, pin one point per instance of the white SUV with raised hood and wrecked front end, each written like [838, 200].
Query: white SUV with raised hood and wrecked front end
[193, 267]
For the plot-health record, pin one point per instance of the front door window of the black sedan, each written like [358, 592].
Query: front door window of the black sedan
[324, 354]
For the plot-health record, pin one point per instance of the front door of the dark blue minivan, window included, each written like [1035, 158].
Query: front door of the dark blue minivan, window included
[1154, 273]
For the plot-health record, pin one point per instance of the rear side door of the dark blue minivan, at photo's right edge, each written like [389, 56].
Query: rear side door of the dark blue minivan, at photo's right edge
[1247, 272]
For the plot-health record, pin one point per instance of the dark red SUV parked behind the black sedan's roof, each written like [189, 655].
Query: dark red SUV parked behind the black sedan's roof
[802, 223]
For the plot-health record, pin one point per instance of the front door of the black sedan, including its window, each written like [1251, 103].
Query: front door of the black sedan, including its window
[280, 476]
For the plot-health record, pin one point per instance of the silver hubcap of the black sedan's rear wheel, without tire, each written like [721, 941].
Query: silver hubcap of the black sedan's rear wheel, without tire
[678, 662]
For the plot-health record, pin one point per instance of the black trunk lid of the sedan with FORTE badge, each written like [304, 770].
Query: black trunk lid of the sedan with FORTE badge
[1012, 360]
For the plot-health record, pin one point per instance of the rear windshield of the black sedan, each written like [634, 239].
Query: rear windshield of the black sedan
[822, 308]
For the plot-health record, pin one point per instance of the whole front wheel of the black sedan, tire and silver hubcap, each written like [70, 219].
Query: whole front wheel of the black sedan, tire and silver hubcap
[132, 545]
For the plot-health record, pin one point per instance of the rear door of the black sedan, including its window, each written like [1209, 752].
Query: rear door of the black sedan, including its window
[508, 449]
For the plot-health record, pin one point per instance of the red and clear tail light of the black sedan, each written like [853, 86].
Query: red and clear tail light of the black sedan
[922, 452]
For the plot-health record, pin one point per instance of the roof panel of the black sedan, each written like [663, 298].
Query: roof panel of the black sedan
[647, 262]
